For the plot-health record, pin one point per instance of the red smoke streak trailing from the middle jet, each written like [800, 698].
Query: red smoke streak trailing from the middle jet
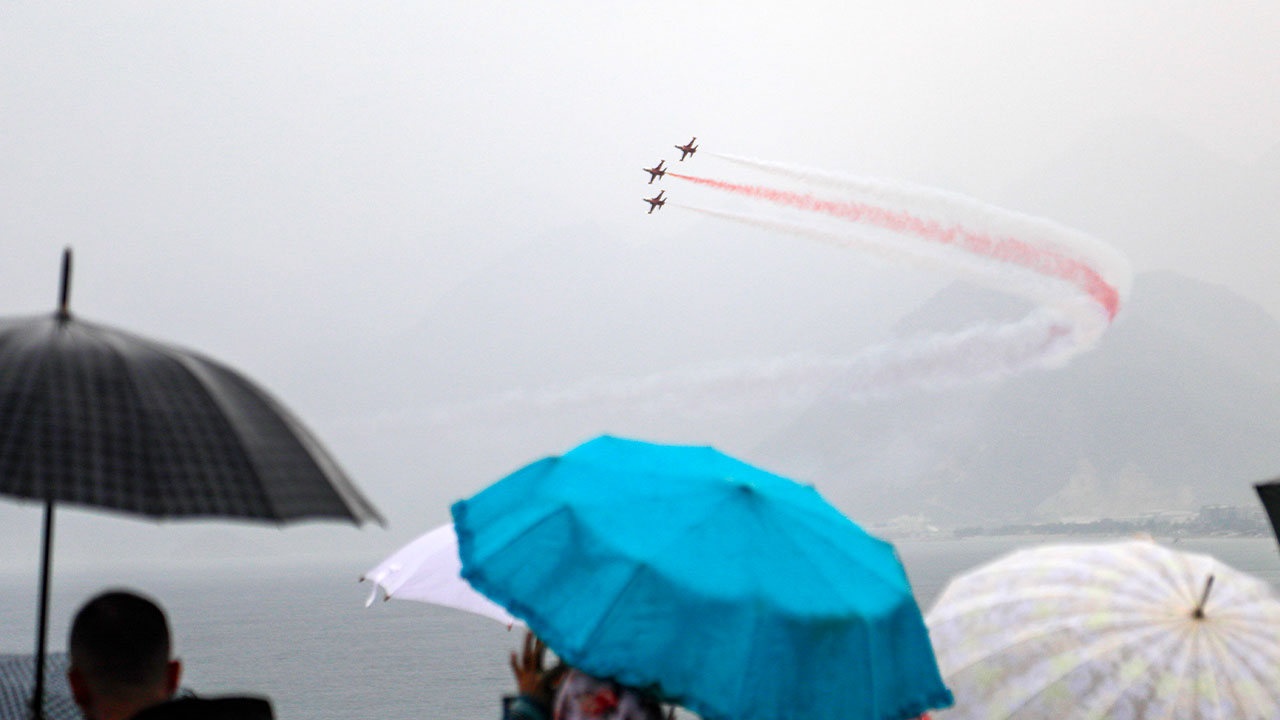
[1005, 249]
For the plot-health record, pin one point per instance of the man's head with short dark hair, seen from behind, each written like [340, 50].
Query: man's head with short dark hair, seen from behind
[121, 657]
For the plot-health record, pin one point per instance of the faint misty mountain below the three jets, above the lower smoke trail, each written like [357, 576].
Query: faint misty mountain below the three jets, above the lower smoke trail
[582, 306]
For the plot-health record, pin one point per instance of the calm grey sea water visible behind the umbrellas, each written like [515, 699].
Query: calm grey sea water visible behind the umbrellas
[303, 635]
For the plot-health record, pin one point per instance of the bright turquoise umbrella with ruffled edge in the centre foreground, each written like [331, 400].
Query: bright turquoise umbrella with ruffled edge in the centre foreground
[735, 593]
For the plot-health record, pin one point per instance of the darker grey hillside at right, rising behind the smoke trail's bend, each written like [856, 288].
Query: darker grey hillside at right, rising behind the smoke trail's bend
[1178, 407]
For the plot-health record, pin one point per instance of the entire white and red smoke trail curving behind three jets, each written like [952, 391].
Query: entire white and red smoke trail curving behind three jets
[1077, 282]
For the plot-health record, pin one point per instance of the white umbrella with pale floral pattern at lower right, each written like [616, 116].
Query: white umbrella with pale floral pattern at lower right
[1117, 631]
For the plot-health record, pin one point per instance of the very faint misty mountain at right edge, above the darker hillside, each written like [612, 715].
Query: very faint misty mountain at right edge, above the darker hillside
[1165, 200]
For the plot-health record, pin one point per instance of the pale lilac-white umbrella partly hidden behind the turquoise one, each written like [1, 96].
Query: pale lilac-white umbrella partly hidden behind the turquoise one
[429, 571]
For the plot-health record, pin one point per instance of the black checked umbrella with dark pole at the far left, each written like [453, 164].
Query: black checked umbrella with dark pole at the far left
[99, 417]
